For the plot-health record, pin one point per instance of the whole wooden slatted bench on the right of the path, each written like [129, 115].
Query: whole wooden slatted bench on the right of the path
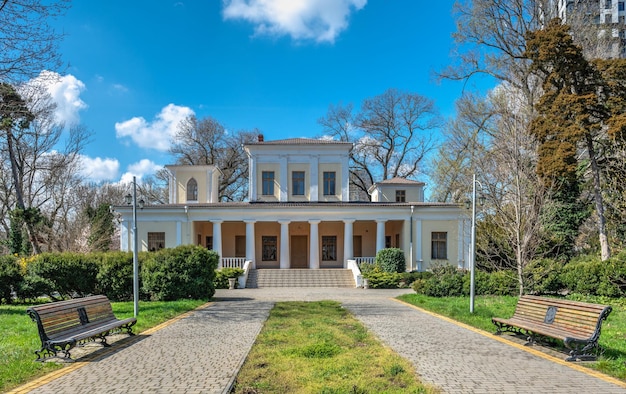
[577, 324]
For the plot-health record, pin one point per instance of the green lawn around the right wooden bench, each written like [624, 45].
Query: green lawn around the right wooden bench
[612, 340]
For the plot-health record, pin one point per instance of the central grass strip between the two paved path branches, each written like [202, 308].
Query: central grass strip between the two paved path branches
[319, 347]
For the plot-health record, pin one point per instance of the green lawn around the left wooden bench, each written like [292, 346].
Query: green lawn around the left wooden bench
[19, 338]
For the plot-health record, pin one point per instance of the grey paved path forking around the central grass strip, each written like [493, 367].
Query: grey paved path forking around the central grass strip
[202, 352]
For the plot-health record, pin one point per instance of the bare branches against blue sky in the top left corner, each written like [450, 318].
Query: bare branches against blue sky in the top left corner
[28, 44]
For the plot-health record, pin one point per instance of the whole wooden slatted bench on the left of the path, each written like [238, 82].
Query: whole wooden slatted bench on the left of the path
[64, 324]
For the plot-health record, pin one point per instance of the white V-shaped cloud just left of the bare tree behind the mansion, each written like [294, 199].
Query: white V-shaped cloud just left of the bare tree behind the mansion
[156, 134]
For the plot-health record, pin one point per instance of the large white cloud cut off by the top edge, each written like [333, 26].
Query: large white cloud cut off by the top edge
[318, 20]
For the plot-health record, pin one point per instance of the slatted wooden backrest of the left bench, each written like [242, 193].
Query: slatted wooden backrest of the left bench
[57, 317]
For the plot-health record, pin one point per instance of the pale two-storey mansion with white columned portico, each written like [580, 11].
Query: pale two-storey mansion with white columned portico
[299, 214]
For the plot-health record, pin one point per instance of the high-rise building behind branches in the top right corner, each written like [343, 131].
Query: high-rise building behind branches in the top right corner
[598, 25]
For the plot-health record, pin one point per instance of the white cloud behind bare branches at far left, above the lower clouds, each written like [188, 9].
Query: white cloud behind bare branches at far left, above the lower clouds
[64, 90]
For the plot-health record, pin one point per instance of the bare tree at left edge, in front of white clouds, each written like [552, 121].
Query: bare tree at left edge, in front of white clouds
[43, 170]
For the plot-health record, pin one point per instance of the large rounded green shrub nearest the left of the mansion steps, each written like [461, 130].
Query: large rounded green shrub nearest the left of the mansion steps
[186, 271]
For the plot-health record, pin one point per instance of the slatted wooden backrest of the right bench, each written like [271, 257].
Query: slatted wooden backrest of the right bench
[574, 316]
